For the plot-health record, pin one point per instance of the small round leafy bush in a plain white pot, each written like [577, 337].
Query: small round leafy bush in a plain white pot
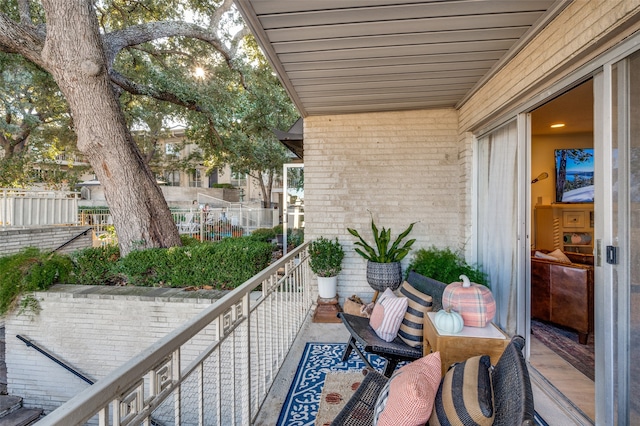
[325, 260]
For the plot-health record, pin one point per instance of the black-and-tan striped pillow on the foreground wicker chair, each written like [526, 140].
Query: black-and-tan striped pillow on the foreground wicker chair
[465, 395]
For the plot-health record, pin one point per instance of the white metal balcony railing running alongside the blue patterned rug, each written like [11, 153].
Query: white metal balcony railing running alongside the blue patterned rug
[217, 369]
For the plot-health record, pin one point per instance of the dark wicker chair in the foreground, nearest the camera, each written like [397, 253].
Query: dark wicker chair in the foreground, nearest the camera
[512, 394]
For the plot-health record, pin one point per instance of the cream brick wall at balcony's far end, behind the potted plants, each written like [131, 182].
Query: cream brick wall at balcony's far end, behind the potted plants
[402, 166]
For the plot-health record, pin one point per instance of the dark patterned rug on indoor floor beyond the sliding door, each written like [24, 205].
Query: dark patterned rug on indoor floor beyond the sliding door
[565, 343]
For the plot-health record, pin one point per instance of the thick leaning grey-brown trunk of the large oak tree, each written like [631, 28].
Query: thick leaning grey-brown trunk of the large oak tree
[74, 55]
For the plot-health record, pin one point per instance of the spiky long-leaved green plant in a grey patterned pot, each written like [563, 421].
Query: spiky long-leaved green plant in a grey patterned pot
[383, 257]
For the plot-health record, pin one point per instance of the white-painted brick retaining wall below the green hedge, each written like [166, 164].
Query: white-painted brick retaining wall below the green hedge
[94, 331]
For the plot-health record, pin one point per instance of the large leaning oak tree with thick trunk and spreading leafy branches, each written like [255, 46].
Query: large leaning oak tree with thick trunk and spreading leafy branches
[81, 43]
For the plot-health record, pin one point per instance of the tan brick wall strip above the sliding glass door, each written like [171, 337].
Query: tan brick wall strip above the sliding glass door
[581, 31]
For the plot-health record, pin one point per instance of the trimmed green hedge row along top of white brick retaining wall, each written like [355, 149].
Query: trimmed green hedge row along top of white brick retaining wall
[222, 265]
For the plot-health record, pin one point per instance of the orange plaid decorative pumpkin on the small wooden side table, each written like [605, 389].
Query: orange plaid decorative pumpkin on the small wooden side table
[472, 301]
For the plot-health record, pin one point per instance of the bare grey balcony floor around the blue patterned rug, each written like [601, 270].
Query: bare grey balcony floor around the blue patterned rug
[547, 403]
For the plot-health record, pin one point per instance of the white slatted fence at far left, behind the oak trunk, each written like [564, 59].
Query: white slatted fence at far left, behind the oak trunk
[27, 208]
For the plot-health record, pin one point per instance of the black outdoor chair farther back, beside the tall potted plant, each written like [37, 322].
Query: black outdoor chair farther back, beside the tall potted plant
[397, 350]
